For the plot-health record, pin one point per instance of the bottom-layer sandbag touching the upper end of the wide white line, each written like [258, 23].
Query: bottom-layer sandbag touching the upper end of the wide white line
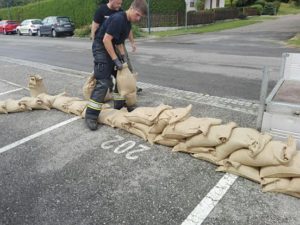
[248, 172]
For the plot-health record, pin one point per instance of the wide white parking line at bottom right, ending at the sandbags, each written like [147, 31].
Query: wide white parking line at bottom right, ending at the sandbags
[208, 203]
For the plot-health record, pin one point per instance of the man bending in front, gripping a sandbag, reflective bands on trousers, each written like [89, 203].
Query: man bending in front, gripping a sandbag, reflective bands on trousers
[108, 38]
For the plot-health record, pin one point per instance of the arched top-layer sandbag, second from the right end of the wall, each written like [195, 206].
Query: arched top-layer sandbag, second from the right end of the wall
[243, 137]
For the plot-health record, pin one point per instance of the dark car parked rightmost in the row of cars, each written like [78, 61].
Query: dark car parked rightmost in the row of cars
[56, 26]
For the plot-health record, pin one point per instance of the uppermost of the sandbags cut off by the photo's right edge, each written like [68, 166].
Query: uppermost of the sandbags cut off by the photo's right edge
[292, 169]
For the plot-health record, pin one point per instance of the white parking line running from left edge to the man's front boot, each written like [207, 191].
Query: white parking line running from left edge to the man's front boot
[26, 139]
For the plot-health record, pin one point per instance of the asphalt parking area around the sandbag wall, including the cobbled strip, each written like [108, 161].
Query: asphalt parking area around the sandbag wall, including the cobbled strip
[53, 170]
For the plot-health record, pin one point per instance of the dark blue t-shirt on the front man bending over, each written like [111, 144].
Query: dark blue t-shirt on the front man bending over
[118, 26]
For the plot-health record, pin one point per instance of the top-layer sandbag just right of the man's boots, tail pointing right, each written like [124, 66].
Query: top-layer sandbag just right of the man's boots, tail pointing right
[146, 115]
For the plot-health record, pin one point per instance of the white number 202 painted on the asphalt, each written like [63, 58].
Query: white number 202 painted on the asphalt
[128, 147]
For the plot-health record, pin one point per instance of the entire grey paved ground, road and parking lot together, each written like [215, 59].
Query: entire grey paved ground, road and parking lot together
[53, 170]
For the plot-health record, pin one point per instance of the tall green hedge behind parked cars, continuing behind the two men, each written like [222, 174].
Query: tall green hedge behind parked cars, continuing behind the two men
[80, 11]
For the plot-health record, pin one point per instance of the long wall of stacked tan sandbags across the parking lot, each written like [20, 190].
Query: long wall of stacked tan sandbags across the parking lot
[239, 150]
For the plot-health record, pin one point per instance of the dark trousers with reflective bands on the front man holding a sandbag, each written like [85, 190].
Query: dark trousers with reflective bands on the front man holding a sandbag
[103, 70]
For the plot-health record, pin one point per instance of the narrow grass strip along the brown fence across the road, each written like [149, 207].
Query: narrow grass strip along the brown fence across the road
[206, 28]
